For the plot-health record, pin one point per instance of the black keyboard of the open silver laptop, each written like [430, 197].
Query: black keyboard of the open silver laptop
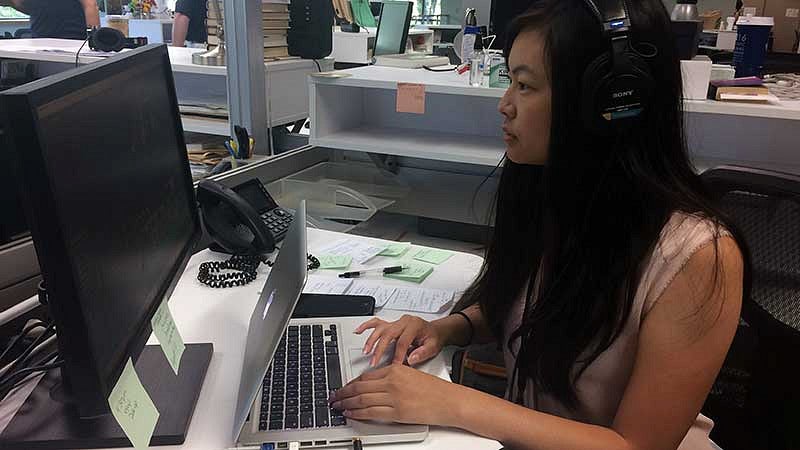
[303, 372]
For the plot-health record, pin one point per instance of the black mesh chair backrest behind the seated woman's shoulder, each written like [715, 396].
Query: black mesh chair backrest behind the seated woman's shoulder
[765, 207]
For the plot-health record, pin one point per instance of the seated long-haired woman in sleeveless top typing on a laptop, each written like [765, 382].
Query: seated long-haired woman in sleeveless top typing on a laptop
[636, 281]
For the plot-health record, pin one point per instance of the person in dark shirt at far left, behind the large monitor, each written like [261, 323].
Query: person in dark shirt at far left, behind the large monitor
[64, 19]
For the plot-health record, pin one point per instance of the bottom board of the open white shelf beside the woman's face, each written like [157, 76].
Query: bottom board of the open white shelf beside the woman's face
[459, 148]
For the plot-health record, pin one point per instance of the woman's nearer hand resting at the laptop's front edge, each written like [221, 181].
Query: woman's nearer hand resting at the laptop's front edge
[399, 393]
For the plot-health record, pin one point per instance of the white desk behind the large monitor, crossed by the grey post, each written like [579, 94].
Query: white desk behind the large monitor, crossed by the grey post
[288, 90]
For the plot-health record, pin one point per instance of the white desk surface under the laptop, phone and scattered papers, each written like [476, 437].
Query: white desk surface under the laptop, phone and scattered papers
[221, 316]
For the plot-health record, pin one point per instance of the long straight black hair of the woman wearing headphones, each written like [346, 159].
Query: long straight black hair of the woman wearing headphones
[588, 219]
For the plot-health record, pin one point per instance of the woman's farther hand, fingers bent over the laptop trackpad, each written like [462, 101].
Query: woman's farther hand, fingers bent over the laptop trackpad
[407, 331]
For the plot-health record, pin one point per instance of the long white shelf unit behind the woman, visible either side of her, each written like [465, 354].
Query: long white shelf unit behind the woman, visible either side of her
[461, 123]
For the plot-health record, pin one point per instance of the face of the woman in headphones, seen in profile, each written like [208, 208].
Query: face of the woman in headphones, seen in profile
[526, 104]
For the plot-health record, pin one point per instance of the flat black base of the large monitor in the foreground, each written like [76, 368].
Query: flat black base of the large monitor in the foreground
[45, 423]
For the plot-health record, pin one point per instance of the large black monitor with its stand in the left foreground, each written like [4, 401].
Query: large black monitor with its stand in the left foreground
[105, 182]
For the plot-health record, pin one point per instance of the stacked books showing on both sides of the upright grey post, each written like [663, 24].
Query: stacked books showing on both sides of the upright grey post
[275, 23]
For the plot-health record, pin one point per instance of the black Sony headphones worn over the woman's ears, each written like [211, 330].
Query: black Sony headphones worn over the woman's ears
[617, 85]
